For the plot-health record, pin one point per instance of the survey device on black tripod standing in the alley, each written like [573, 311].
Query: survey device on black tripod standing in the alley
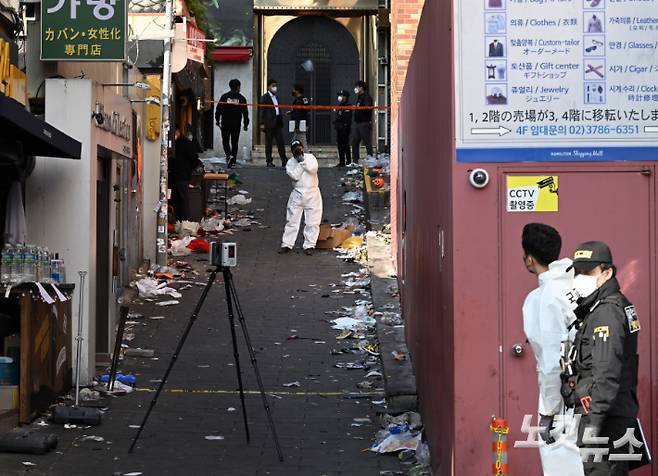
[226, 255]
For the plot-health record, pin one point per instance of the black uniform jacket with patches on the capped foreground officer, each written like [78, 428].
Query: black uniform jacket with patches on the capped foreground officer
[607, 359]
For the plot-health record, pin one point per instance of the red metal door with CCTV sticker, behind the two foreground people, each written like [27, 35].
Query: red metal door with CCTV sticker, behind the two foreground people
[587, 211]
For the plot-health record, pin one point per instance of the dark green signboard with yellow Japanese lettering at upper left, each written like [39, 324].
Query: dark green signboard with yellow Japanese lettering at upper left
[83, 30]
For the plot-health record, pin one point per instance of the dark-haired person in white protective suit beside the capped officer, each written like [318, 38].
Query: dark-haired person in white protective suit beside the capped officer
[547, 315]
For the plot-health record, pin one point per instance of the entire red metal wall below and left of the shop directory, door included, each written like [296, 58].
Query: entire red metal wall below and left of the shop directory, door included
[457, 308]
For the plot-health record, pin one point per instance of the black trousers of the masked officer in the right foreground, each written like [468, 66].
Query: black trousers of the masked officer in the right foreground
[614, 428]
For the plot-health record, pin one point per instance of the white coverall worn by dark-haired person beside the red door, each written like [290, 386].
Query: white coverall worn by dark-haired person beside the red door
[547, 313]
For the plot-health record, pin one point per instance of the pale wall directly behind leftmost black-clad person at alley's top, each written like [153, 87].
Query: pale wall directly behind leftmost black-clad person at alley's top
[224, 72]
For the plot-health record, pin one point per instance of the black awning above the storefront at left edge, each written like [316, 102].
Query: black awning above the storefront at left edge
[36, 136]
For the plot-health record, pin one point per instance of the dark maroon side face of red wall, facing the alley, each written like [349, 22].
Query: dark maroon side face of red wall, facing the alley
[424, 202]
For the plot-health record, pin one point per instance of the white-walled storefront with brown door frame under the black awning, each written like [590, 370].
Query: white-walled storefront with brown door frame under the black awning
[76, 208]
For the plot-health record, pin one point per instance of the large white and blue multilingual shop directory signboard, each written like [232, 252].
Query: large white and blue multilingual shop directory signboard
[556, 80]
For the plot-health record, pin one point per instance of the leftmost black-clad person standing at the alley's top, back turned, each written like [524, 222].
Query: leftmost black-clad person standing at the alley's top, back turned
[228, 116]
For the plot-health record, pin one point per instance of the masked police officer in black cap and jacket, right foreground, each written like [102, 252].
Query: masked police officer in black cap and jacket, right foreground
[603, 389]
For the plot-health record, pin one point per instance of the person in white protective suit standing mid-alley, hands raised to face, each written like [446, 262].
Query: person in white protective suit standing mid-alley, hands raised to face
[305, 197]
